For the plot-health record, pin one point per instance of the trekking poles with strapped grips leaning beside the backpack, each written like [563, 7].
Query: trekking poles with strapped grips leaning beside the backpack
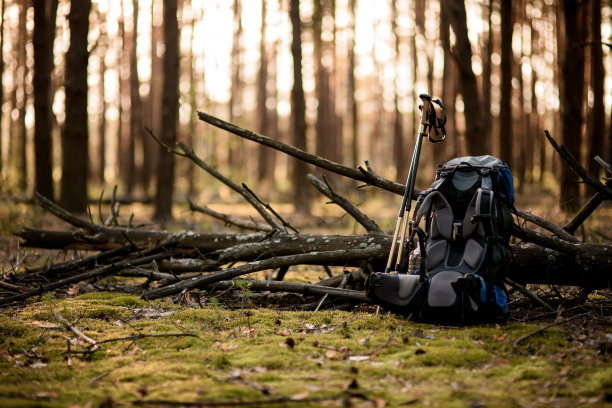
[425, 127]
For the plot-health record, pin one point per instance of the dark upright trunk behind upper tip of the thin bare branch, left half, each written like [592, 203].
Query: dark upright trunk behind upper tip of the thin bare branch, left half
[165, 164]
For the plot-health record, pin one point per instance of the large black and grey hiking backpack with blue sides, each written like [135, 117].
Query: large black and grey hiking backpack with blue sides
[463, 246]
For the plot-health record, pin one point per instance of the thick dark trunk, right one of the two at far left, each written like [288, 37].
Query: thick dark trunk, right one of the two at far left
[75, 163]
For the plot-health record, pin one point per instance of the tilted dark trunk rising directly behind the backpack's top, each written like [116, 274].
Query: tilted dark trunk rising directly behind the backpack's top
[476, 139]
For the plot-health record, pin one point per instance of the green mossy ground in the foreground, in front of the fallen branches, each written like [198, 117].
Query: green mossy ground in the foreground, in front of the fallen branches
[270, 358]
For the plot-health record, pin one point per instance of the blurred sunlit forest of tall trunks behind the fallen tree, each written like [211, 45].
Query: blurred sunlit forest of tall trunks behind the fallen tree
[82, 80]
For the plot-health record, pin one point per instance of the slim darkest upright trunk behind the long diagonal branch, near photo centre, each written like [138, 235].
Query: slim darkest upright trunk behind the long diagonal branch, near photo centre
[301, 191]
